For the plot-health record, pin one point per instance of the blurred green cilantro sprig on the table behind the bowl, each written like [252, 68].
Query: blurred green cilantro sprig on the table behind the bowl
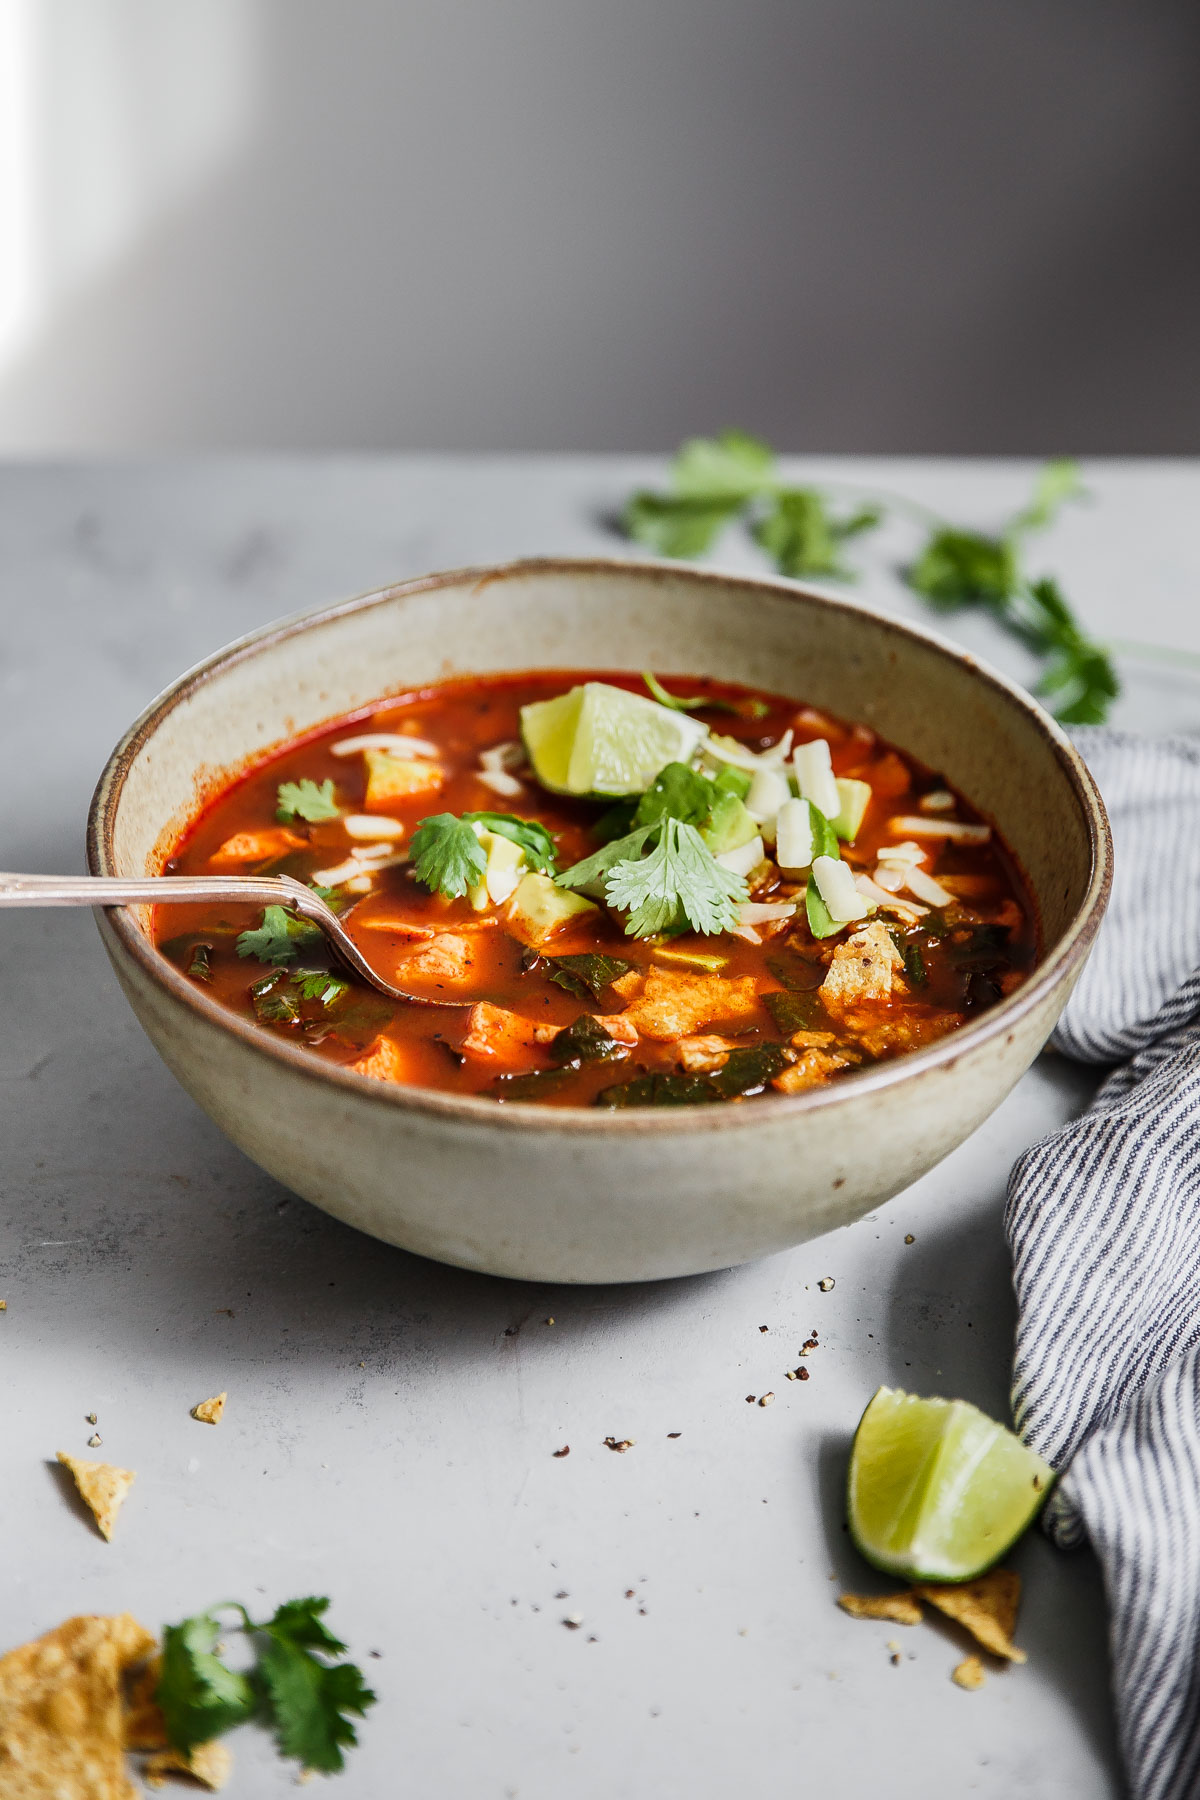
[735, 476]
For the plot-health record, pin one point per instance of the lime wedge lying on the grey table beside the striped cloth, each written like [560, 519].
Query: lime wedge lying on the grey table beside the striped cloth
[936, 1489]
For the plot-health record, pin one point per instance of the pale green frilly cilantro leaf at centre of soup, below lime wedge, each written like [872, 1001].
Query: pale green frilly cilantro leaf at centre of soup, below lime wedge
[681, 879]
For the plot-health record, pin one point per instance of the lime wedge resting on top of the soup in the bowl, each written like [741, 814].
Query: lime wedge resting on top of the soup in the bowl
[605, 741]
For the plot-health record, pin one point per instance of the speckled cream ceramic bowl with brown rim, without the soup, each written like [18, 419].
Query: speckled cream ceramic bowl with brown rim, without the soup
[593, 1196]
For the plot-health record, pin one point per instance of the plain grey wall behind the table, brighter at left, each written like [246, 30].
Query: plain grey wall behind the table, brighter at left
[962, 226]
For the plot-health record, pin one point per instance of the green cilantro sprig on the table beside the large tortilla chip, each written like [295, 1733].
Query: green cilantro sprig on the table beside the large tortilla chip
[298, 1686]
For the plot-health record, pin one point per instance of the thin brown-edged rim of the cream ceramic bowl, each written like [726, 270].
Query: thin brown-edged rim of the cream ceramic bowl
[530, 1117]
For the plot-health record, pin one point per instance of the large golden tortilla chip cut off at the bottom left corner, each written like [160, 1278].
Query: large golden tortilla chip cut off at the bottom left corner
[62, 1711]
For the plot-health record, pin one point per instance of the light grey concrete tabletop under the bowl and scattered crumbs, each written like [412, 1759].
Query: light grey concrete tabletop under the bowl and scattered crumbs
[391, 1425]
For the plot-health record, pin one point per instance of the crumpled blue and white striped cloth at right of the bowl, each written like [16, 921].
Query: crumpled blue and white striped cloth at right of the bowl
[1104, 1221]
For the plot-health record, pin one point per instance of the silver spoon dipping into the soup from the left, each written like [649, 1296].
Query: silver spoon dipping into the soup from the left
[237, 890]
